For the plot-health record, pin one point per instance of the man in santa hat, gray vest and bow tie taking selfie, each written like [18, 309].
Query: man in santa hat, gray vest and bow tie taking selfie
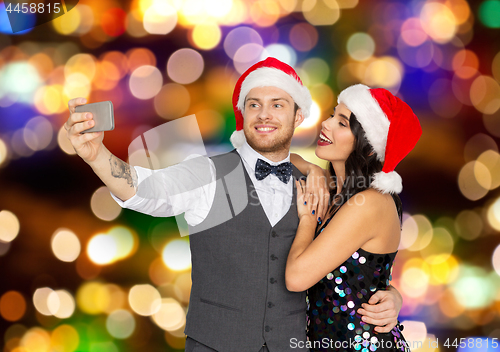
[239, 301]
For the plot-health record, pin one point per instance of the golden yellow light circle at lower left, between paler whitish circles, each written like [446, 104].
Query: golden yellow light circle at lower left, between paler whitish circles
[93, 298]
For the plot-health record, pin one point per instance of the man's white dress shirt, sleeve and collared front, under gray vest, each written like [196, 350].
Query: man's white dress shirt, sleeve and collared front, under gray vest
[189, 188]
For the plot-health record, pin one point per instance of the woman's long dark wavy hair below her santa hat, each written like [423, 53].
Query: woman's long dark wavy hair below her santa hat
[360, 167]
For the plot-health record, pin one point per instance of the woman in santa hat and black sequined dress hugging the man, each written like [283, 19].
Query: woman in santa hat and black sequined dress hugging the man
[346, 259]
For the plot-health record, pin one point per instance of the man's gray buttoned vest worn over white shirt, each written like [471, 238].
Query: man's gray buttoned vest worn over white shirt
[239, 298]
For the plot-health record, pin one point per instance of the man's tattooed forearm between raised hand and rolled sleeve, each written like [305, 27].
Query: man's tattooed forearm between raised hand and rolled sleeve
[117, 175]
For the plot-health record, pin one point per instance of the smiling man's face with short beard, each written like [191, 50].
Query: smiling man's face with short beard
[269, 119]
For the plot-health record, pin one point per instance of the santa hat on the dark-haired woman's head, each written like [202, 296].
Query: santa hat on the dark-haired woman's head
[390, 126]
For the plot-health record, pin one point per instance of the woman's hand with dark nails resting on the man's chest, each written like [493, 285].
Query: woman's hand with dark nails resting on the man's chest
[317, 186]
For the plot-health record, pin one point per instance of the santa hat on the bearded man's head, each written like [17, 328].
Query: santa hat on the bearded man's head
[267, 73]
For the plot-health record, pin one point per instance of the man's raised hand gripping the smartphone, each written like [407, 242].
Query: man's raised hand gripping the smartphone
[87, 145]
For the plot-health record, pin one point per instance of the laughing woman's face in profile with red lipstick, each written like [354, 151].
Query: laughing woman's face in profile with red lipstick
[336, 140]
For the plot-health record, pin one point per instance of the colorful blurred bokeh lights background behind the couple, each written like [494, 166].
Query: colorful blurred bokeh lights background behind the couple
[80, 274]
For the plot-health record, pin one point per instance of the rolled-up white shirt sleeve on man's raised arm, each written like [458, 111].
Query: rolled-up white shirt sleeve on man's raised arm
[187, 187]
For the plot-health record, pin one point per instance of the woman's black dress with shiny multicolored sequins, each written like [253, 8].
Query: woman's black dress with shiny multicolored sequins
[332, 321]
